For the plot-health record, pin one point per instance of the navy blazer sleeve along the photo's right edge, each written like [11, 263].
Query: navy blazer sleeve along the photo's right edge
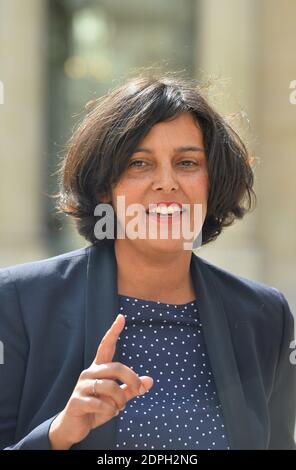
[282, 403]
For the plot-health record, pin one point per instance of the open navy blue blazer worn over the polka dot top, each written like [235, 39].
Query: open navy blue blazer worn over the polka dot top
[54, 313]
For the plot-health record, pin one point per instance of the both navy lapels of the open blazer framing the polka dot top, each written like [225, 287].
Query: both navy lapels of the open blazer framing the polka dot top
[101, 310]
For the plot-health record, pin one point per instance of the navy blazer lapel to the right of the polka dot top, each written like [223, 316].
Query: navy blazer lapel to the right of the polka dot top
[217, 336]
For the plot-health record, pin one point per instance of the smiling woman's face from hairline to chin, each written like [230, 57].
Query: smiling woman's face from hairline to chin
[169, 166]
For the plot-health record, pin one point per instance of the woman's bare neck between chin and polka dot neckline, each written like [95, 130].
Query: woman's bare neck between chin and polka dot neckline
[151, 276]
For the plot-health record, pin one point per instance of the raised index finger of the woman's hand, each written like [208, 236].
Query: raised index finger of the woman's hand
[107, 347]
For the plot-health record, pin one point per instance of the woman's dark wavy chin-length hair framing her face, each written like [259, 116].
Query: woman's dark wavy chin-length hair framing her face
[99, 150]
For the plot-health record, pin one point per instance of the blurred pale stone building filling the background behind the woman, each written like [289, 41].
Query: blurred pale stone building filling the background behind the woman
[56, 55]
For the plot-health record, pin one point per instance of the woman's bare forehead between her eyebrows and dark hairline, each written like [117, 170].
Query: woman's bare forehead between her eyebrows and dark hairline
[181, 130]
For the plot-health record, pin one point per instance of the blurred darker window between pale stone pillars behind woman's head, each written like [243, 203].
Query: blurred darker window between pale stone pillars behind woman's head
[93, 46]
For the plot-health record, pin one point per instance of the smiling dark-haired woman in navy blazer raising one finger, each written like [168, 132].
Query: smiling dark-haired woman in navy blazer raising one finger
[136, 342]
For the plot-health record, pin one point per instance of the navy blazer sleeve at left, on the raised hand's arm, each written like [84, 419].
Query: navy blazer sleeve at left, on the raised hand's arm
[14, 353]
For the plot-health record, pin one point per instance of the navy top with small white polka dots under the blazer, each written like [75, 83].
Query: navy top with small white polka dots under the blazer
[182, 409]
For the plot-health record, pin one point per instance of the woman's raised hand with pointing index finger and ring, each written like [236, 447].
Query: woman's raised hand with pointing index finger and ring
[97, 397]
